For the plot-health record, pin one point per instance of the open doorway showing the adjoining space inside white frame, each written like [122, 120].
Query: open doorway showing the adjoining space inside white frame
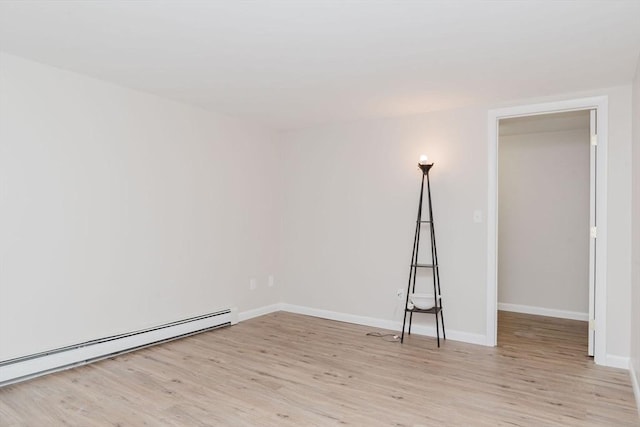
[544, 257]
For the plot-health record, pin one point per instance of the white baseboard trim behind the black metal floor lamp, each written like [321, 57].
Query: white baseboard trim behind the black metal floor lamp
[417, 329]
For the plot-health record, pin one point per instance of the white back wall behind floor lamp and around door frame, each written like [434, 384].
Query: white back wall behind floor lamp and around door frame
[350, 205]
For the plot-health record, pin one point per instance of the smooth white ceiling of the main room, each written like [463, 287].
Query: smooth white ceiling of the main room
[295, 64]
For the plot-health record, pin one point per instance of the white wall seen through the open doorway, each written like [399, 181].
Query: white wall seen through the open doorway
[543, 241]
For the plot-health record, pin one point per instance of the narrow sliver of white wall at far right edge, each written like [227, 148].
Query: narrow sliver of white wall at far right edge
[635, 236]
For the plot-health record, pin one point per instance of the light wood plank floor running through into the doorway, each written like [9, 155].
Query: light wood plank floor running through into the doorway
[291, 370]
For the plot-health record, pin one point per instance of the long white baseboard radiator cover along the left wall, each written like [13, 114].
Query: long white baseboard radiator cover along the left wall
[34, 365]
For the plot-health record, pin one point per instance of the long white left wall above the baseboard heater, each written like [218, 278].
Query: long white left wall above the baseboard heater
[120, 210]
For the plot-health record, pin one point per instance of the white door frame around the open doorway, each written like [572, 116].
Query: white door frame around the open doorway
[600, 104]
